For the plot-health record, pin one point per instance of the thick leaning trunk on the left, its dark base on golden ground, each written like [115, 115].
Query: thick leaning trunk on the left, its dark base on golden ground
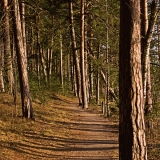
[27, 110]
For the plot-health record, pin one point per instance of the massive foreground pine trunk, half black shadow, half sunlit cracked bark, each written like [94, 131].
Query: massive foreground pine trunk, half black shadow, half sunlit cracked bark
[132, 143]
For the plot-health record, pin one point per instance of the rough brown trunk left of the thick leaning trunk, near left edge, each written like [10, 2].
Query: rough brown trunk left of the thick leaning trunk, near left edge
[7, 48]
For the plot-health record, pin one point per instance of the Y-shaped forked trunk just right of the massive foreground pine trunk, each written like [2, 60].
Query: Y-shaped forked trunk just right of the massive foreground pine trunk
[147, 32]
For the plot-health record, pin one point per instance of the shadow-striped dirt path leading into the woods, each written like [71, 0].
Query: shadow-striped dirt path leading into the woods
[90, 135]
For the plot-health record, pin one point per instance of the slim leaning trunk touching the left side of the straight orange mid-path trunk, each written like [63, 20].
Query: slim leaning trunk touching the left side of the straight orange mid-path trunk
[75, 54]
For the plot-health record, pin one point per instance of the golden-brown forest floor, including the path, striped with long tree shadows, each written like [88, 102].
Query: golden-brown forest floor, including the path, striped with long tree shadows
[62, 130]
